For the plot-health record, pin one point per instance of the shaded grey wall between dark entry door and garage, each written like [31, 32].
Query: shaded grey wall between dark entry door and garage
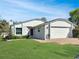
[41, 34]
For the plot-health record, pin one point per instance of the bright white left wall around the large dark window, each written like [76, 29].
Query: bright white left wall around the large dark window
[24, 26]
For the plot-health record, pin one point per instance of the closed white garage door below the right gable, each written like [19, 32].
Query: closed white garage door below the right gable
[59, 32]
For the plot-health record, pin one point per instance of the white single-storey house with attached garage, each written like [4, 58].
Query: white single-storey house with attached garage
[41, 29]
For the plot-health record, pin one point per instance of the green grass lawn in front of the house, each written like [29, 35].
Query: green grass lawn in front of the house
[29, 49]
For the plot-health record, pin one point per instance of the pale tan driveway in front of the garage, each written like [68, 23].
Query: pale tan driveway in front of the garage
[61, 41]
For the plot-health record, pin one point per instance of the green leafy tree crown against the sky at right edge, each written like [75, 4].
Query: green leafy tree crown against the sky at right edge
[74, 16]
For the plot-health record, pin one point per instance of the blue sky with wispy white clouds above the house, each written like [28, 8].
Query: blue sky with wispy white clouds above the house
[21, 10]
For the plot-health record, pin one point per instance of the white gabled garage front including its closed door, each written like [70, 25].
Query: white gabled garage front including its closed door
[64, 29]
